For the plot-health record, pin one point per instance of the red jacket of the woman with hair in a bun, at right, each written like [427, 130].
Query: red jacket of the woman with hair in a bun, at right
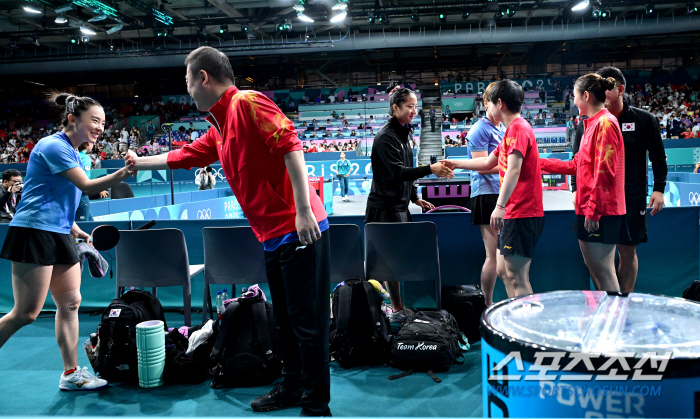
[599, 167]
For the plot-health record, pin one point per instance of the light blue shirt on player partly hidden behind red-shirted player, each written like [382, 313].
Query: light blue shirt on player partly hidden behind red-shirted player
[483, 136]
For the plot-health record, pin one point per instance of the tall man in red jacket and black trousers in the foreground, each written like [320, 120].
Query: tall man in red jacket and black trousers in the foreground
[263, 161]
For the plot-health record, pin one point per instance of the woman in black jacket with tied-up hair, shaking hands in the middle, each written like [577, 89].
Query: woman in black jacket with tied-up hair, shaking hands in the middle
[393, 177]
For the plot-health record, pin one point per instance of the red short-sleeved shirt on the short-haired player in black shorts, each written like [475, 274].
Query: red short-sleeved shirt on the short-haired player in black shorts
[526, 199]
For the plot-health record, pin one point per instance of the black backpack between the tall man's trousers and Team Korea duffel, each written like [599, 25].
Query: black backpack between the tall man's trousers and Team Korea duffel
[359, 330]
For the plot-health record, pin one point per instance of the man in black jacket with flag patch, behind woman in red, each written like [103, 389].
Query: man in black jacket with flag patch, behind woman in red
[641, 134]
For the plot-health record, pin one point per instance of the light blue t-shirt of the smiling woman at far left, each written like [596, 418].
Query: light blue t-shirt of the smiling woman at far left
[49, 200]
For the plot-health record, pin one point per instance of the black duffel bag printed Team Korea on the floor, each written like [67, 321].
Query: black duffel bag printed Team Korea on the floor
[427, 341]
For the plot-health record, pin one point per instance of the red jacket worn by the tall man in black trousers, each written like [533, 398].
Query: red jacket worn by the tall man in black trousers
[250, 138]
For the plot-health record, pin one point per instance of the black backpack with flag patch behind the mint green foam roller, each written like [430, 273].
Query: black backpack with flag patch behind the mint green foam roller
[116, 358]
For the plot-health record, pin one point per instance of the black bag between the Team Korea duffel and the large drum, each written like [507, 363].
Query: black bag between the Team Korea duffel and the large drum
[465, 303]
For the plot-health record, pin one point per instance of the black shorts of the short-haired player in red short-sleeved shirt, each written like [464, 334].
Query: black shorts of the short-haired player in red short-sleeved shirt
[519, 236]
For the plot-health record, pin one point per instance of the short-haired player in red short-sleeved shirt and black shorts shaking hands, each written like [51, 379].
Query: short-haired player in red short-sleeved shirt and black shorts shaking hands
[519, 215]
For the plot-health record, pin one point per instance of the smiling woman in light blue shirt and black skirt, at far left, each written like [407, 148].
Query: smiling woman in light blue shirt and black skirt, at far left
[40, 239]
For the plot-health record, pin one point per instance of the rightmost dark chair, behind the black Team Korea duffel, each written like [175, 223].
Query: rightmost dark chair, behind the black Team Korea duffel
[403, 252]
